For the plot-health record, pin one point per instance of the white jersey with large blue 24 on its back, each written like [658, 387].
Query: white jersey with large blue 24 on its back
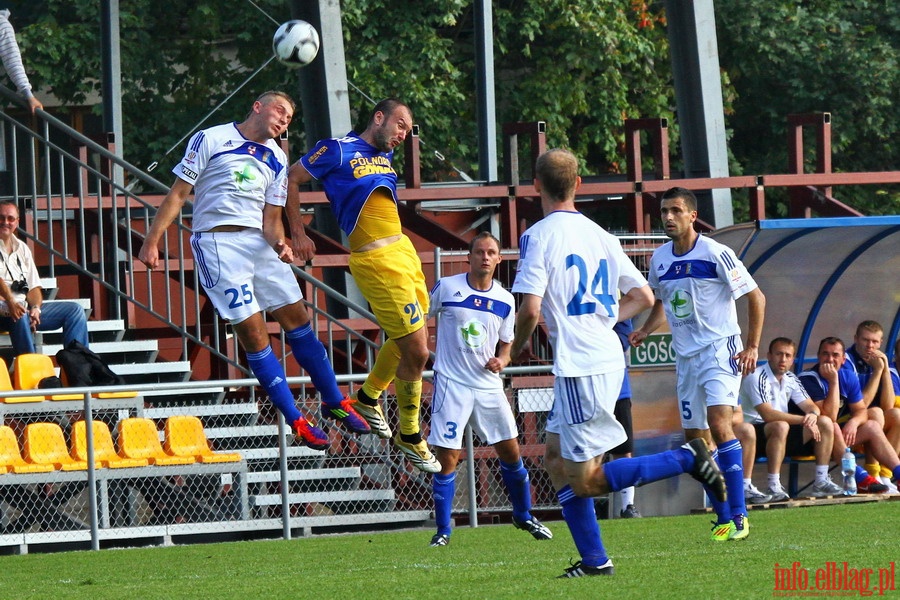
[579, 269]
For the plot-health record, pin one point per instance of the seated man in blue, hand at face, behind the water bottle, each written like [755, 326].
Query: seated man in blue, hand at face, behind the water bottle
[836, 392]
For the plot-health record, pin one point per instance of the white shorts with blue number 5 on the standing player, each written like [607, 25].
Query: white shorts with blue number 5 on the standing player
[710, 378]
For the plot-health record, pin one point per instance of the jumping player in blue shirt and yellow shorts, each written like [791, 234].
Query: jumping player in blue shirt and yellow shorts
[361, 186]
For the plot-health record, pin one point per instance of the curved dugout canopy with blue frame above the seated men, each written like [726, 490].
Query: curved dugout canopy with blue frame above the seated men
[821, 276]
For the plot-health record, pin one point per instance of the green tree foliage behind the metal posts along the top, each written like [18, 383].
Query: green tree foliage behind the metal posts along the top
[580, 65]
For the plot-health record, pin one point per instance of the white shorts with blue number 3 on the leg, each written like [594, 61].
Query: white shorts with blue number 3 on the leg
[455, 405]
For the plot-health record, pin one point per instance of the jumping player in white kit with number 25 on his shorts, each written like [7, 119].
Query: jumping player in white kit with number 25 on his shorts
[239, 176]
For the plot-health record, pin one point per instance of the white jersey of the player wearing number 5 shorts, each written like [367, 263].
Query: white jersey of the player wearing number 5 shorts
[697, 291]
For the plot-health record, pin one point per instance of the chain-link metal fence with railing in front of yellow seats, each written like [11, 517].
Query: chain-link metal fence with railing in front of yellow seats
[121, 470]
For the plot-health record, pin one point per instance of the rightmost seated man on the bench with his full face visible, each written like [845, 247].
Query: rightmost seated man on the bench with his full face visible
[873, 368]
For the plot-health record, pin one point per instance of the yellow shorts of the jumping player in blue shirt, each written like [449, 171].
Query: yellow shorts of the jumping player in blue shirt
[392, 281]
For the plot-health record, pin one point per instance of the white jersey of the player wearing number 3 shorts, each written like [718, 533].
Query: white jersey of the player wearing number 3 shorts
[470, 325]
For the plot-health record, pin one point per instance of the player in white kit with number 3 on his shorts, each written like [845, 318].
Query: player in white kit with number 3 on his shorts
[475, 330]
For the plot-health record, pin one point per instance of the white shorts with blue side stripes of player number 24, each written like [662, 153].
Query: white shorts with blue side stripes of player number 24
[582, 415]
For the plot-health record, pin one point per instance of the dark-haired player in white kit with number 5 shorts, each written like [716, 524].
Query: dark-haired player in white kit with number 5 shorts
[696, 281]
